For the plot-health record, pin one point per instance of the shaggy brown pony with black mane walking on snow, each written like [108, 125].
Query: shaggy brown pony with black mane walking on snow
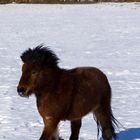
[66, 94]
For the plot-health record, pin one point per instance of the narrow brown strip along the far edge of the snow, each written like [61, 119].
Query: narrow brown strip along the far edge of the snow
[63, 1]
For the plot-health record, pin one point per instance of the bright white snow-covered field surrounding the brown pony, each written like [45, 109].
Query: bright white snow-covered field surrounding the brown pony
[106, 36]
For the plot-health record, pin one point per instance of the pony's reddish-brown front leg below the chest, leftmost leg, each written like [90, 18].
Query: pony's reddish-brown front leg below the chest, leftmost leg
[50, 129]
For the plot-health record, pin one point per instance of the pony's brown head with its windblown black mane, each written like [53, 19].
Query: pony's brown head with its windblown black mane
[34, 62]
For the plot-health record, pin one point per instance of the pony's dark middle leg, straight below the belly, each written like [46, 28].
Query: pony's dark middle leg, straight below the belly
[75, 129]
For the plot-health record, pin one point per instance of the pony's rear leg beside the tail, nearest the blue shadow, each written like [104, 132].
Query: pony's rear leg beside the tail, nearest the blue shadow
[104, 120]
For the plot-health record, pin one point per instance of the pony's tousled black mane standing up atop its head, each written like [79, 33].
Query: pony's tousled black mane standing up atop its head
[40, 55]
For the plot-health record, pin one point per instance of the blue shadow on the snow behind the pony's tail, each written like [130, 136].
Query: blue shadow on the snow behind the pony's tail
[128, 134]
